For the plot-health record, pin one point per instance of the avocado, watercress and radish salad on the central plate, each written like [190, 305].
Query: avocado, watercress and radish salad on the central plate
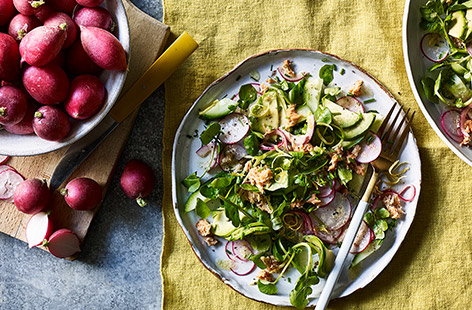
[283, 162]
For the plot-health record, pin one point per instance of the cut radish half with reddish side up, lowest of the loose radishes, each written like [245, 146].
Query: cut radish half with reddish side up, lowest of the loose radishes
[63, 243]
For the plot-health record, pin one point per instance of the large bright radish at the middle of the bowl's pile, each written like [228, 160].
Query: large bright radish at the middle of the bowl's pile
[47, 85]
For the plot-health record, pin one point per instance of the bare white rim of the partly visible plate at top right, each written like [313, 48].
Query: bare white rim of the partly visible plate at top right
[416, 66]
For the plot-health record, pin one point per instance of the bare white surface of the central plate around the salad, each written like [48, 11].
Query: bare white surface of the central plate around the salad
[185, 162]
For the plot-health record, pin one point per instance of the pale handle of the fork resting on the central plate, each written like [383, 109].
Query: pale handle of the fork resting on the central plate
[351, 233]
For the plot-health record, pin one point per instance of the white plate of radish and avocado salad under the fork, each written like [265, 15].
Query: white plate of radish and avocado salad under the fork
[267, 169]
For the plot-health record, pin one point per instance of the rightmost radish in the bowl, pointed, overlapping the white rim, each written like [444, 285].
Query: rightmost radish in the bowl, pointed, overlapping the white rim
[103, 48]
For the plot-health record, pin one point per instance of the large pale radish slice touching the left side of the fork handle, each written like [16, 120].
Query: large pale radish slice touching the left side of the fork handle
[336, 214]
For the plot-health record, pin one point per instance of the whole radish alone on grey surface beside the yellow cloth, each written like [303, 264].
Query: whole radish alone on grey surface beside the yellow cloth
[137, 181]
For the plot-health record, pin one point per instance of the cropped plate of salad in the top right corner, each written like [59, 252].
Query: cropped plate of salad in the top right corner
[437, 47]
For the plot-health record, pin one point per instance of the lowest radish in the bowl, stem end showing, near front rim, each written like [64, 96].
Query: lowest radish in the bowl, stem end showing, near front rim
[51, 124]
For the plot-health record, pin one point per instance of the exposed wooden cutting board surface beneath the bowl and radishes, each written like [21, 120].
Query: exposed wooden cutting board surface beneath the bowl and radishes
[148, 38]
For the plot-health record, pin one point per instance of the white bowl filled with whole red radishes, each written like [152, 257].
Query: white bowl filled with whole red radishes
[62, 67]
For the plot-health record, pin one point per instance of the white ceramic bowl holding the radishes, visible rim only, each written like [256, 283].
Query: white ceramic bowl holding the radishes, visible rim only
[28, 145]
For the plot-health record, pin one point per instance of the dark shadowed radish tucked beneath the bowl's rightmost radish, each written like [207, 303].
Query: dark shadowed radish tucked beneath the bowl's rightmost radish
[78, 62]
